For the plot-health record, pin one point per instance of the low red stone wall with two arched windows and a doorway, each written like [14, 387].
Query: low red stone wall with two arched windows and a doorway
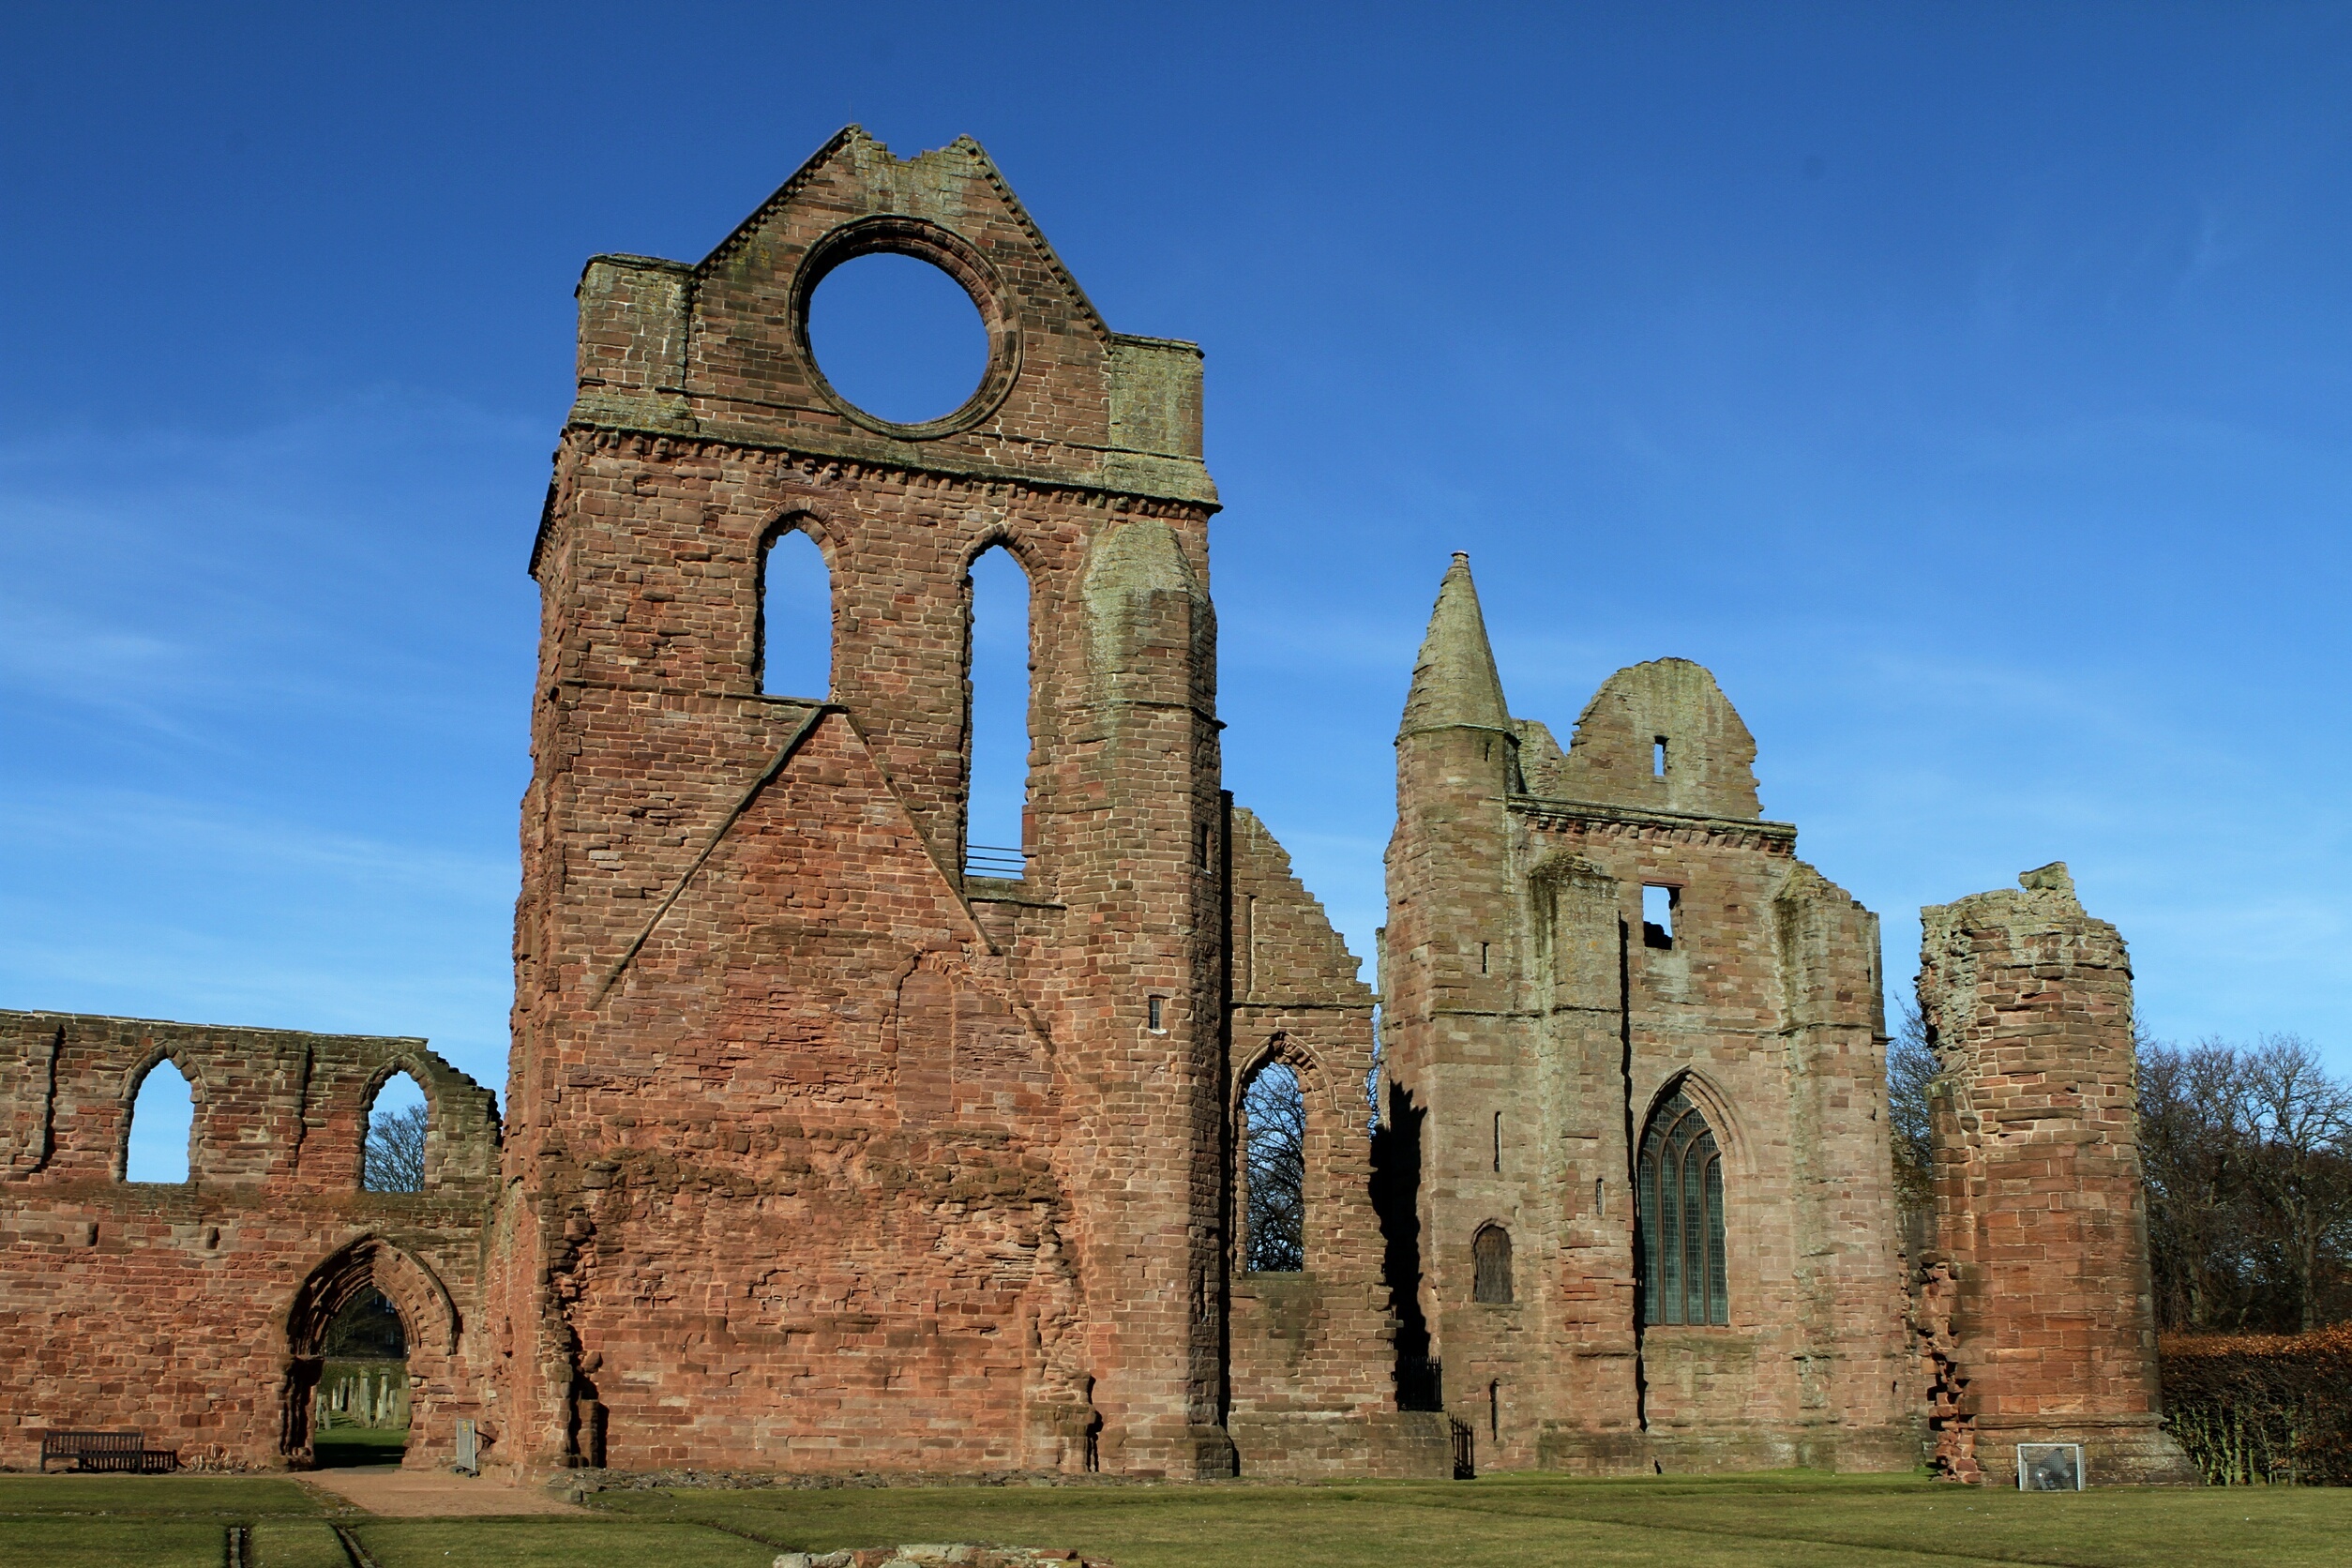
[194, 1311]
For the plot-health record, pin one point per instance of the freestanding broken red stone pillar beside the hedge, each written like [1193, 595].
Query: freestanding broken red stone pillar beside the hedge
[2038, 1318]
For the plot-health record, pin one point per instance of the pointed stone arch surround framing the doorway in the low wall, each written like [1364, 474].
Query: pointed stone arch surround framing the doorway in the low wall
[427, 1320]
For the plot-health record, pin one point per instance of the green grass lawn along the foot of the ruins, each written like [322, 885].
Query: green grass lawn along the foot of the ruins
[1504, 1522]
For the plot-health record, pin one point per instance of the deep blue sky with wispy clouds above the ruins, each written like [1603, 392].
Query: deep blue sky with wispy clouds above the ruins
[1965, 384]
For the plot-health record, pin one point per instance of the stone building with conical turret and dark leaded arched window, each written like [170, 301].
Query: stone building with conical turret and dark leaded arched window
[1535, 1028]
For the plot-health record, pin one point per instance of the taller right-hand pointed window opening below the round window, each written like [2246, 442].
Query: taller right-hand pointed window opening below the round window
[998, 728]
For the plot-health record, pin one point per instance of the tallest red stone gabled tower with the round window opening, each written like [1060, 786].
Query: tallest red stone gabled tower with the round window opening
[827, 1153]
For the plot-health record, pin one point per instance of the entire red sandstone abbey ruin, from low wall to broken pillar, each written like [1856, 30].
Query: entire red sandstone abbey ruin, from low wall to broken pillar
[834, 1151]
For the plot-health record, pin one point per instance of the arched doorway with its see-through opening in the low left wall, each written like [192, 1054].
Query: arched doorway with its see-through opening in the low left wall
[361, 1336]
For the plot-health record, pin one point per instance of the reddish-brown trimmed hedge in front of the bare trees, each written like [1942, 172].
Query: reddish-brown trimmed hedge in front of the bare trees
[2264, 1407]
